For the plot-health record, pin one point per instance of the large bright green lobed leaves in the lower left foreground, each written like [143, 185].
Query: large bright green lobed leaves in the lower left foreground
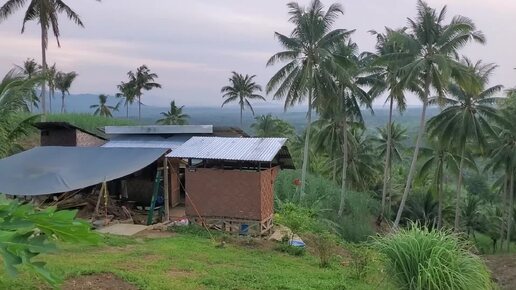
[26, 232]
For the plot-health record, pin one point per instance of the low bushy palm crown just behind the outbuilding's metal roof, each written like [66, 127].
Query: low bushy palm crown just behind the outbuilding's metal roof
[269, 126]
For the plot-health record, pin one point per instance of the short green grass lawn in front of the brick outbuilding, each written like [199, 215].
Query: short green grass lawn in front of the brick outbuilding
[187, 261]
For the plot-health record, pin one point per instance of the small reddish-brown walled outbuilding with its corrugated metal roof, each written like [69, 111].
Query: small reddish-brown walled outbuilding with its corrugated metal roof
[229, 182]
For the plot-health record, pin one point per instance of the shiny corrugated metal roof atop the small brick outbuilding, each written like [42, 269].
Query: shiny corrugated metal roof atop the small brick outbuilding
[243, 149]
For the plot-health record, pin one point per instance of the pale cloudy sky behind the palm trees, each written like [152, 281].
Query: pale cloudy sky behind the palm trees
[194, 45]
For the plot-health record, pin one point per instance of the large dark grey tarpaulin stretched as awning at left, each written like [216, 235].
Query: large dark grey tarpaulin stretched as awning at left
[46, 170]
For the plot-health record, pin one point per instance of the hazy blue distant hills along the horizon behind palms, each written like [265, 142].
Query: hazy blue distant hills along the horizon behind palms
[230, 115]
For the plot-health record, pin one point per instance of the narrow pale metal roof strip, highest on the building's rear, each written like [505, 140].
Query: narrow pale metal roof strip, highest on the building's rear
[160, 129]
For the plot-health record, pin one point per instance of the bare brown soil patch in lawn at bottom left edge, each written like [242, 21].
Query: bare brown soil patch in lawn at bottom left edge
[105, 281]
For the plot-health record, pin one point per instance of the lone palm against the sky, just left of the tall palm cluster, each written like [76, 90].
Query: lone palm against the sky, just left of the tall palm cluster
[241, 89]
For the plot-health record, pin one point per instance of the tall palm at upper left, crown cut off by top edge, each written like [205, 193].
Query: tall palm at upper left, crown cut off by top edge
[45, 13]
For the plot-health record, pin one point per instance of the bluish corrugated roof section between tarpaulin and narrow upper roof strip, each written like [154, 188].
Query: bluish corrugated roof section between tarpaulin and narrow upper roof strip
[147, 141]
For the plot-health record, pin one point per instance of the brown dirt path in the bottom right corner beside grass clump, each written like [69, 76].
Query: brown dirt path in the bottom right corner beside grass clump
[503, 268]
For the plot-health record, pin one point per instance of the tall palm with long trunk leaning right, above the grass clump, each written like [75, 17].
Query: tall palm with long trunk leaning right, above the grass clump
[432, 48]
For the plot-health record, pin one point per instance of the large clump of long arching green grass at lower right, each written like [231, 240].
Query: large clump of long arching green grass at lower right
[419, 258]
